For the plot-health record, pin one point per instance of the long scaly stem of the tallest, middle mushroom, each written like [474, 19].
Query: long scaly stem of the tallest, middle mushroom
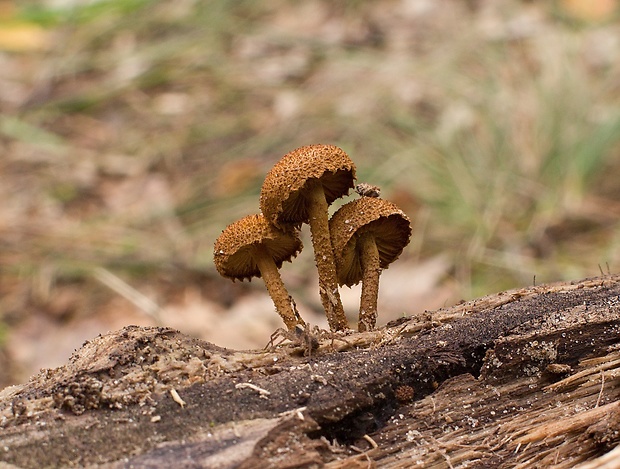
[324, 257]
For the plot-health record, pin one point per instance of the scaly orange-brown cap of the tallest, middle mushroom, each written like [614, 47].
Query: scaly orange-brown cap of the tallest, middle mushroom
[282, 195]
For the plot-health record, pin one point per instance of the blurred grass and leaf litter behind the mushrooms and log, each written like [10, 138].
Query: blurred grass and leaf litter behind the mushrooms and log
[133, 131]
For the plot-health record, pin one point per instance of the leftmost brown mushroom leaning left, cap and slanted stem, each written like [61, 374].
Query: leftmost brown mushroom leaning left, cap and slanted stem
[252, 247]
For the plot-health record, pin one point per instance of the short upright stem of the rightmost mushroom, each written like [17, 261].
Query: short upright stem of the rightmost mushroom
[369, 259]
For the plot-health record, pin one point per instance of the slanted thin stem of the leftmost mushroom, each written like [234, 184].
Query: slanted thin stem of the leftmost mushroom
[275, 287]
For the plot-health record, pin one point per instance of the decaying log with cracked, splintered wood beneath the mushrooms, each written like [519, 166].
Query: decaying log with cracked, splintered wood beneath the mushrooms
[526, 378]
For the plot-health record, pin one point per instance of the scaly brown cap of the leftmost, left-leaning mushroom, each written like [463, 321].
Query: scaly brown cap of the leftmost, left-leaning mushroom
[234, 250]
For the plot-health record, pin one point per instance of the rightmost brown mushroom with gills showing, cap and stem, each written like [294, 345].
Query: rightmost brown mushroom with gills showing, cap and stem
[368, 234]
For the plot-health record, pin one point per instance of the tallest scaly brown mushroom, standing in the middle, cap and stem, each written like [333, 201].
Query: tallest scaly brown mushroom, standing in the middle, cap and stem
[299, 189]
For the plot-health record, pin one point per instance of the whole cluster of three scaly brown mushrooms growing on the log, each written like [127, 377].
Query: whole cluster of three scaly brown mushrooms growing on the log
[362, 238]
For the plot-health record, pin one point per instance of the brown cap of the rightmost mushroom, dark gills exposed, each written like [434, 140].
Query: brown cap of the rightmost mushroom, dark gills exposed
[388, 224]
